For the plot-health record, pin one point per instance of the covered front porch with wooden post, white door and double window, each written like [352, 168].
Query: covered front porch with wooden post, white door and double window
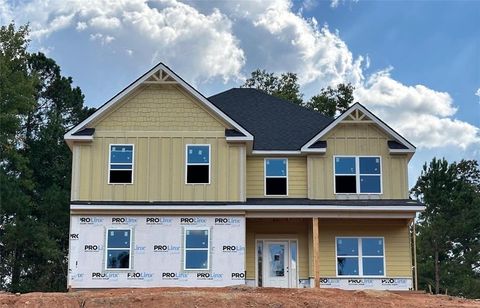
[305, 252]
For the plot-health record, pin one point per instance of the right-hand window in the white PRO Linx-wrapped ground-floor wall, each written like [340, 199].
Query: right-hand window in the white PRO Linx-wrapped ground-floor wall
[196, 251]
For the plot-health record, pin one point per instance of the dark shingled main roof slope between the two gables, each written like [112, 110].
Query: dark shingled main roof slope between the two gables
[276, 124]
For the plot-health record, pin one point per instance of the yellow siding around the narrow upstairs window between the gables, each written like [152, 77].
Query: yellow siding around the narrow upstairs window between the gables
[297, 177]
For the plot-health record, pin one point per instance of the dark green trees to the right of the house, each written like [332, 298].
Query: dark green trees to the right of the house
[448, 243]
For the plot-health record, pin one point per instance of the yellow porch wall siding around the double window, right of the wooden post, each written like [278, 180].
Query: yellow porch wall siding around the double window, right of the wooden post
[396, 243]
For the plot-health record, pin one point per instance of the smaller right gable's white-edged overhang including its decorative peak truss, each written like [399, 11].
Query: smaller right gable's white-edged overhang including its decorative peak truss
[355, 114]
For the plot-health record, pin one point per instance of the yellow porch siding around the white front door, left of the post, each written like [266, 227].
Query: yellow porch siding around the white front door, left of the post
[278, 229]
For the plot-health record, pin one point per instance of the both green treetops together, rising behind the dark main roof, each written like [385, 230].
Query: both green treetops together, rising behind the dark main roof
[328, 102]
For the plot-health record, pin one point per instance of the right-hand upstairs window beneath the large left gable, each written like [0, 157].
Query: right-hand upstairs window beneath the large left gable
[198, 164]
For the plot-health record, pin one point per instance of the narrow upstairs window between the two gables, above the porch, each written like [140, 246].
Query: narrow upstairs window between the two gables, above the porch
[276, 173]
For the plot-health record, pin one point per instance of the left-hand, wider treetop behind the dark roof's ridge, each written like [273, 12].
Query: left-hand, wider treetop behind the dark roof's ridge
[284, 86]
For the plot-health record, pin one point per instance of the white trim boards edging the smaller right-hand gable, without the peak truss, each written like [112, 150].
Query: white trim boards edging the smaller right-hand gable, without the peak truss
[376, 120]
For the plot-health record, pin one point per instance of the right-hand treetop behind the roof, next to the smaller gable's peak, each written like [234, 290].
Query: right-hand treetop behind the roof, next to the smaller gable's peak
[332, 100]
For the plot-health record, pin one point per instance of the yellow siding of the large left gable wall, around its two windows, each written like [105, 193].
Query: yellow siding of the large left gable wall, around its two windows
[159, 121]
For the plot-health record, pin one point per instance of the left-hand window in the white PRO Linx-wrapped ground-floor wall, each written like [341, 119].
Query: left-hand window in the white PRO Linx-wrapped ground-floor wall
[118, 249]
